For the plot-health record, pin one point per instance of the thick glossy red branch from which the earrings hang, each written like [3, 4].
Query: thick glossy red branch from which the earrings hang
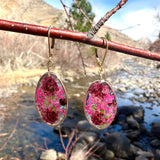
[75, 36]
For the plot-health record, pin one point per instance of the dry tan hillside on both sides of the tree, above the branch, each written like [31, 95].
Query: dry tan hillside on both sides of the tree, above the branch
[39, 12]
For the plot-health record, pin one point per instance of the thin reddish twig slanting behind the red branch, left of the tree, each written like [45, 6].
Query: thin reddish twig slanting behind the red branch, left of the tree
[78, 46]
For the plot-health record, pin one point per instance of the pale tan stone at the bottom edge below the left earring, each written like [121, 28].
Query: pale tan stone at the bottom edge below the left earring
[49, 155]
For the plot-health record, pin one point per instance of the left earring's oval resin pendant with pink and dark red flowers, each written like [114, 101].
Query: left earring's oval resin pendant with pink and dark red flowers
[51, 99]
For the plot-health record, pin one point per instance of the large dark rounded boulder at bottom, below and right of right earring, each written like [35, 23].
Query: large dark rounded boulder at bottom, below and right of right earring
[119, 144]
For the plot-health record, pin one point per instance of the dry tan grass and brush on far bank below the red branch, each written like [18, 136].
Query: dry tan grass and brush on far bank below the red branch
[23, 58]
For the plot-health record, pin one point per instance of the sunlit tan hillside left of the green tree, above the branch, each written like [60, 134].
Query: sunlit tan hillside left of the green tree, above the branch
[29, 11]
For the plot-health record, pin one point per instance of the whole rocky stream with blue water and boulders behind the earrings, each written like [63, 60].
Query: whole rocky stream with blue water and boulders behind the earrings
[134, 134]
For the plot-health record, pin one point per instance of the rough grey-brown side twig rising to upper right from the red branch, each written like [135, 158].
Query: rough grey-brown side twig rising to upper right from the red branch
[101, 22]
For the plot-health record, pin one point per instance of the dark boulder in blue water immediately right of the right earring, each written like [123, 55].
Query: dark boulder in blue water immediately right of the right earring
[137, 112]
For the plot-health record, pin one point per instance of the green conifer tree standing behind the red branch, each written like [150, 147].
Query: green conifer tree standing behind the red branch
[79, 21]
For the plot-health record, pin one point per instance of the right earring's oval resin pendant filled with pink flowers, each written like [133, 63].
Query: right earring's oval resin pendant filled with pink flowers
[100, 105]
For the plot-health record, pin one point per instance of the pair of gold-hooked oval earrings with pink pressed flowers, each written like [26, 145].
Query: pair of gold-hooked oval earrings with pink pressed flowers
[100, 104]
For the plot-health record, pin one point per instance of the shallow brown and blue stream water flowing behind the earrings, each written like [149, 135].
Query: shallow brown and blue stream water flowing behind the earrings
[31, 133]
